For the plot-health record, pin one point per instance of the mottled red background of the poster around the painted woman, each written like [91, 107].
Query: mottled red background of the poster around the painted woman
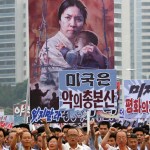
[94, 23]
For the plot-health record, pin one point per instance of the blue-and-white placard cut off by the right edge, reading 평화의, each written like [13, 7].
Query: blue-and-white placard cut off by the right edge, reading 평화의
[137, 98]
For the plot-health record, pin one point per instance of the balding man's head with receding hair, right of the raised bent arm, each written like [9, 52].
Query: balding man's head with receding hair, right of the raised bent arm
[121, 138]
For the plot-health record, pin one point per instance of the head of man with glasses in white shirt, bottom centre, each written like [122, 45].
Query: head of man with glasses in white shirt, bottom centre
[72, 136]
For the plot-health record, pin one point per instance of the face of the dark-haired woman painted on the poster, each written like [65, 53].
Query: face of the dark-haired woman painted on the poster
[71, 22]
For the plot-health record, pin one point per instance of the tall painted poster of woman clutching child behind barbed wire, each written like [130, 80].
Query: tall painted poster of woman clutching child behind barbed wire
[79, 36]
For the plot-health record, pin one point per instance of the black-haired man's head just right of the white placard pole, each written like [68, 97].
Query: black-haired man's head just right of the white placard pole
[103, 127]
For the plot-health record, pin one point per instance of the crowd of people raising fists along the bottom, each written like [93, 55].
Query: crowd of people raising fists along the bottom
[102, 136]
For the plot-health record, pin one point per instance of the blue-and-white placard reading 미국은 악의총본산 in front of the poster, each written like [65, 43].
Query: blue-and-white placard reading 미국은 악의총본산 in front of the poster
[87, 89]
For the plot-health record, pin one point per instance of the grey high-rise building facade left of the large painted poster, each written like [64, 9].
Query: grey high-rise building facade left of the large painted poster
[13, 41]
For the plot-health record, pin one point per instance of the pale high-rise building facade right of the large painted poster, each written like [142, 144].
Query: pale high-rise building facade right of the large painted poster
[132, 38]
